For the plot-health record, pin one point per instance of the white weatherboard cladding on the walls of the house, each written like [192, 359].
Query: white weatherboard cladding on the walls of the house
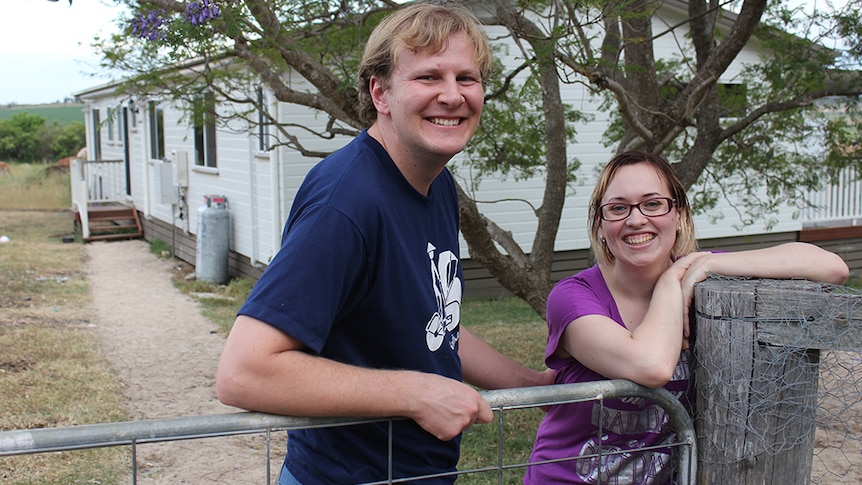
[260, 185]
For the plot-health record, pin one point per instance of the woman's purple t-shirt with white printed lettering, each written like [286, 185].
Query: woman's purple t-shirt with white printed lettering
[571, 430]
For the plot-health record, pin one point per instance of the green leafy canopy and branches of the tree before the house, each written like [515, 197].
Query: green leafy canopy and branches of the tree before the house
[740, 136]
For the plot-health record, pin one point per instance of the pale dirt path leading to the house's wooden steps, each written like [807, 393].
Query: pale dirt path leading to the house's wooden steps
[165, 354]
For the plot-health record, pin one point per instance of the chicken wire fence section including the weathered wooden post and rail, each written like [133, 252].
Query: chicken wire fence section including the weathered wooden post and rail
[779, 387]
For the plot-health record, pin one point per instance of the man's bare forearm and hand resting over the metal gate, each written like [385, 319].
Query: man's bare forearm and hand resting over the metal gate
[263, 369]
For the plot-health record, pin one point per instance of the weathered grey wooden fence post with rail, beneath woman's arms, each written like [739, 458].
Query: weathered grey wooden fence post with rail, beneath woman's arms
[757, 351]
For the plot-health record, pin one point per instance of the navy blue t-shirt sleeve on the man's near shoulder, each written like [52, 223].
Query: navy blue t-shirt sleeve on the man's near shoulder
[311, 279]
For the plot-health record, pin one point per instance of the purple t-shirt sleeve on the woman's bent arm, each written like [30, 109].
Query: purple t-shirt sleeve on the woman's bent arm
[582, 294]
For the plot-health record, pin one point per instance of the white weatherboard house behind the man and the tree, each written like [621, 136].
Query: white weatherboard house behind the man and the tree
[167, 167]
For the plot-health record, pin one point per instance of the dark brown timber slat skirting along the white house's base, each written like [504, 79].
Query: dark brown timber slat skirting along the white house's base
[846, 242]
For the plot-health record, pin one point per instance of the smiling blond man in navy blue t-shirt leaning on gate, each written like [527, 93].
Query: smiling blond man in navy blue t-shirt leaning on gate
[358, 313]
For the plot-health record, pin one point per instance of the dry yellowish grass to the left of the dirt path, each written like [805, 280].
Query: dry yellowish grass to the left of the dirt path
[51, 373]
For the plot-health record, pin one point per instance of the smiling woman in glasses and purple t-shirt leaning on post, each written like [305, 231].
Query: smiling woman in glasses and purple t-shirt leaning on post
[626, 318]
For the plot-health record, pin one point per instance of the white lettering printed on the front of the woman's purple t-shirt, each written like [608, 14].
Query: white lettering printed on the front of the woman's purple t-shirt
[617, 465]
